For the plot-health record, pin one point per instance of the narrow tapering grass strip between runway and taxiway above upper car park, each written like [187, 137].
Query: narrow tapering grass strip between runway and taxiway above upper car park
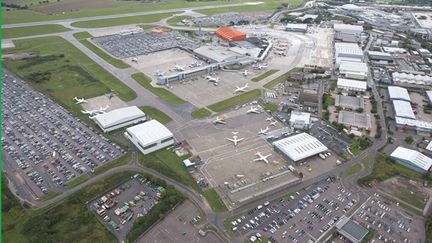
[150, 18]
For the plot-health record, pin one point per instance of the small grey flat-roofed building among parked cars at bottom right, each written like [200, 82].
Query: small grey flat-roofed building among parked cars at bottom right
[351, 230]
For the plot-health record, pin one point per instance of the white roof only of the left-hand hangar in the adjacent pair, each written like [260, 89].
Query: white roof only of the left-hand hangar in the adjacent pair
[118, 116]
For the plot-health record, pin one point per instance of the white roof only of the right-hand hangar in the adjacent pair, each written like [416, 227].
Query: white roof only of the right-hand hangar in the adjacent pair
[149, 132]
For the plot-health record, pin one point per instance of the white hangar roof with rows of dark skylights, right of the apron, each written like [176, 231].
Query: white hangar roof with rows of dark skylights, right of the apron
[300, 146]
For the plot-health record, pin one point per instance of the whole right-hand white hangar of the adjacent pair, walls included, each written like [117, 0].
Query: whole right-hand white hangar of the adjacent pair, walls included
[150, 136]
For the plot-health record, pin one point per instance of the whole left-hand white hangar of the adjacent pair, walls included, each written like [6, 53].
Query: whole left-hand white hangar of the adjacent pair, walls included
[119, 118]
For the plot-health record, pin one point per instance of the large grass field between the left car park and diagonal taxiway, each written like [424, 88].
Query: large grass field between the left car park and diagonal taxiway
[63, 72]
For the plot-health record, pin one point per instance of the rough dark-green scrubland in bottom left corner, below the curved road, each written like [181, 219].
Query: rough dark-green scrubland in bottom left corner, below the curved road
[66, 221]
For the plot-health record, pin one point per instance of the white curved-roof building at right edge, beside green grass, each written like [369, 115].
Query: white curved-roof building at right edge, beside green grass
[412, 159]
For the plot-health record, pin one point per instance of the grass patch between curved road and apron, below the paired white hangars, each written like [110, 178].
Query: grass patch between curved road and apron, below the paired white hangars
[167, 163]
